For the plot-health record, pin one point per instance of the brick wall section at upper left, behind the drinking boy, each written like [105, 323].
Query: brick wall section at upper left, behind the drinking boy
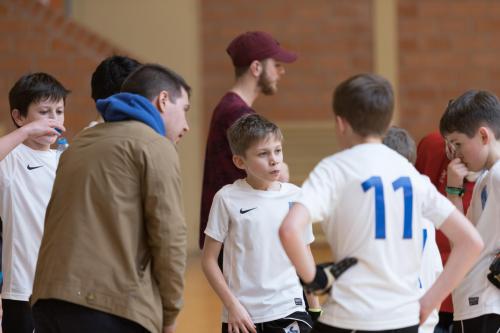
[36, 38]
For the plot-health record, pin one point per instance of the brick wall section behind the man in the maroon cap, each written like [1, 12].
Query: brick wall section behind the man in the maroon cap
[332, 37]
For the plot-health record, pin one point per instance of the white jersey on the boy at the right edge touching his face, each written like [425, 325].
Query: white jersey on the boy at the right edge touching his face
[476, 295]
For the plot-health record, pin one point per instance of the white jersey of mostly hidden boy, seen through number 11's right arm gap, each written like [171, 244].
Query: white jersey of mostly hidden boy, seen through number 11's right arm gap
[429, 272]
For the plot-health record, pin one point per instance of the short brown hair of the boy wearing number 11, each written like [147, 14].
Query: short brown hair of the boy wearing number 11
[366, 101]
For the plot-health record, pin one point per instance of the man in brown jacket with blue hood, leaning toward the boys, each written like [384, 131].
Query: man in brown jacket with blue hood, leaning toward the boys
[113, 254]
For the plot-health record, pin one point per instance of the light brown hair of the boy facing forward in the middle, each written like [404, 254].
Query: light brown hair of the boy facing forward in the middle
[249, 129]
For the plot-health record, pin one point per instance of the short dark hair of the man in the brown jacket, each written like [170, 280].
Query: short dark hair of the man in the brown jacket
[150, 79]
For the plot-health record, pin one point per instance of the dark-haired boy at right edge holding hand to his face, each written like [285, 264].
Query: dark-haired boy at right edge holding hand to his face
[471, 124]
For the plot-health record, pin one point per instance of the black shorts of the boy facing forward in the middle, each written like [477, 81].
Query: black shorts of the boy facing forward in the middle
[297, 322]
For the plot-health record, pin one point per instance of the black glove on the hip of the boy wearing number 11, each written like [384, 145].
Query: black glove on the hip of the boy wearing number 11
[326, 273]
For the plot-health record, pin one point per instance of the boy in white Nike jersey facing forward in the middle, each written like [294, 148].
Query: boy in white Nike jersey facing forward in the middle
[259, 287]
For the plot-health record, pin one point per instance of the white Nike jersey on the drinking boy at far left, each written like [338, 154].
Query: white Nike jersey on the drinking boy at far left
[26, 179]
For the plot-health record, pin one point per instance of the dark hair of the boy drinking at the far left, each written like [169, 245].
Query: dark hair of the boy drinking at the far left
[33, 88]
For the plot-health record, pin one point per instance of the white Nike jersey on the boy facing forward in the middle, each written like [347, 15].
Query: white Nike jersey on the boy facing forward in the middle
[256, 267]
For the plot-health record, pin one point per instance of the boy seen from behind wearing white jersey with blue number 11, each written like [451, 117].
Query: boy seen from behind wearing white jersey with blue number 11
[372, 203]
